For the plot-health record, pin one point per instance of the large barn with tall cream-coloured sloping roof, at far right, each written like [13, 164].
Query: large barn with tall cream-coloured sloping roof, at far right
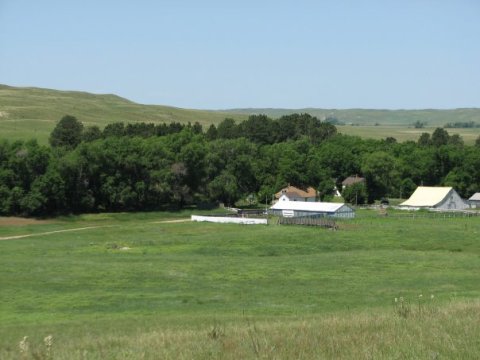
[431, 197]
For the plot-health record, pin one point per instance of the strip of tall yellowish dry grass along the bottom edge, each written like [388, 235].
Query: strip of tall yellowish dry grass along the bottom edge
[426, 332]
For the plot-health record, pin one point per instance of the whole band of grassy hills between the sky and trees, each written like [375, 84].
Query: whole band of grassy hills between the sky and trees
[33, 112]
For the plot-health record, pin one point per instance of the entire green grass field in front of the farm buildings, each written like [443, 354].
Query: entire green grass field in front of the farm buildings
[139, 286]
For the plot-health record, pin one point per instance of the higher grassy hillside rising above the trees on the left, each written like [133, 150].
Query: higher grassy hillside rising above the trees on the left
[33, 112]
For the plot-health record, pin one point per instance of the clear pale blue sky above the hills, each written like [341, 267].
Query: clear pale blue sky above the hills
[410, 54]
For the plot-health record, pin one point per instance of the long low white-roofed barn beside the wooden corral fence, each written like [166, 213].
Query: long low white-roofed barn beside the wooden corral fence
[314, 209]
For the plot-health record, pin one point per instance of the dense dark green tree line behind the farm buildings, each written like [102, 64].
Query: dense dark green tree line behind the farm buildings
[149, 167]
